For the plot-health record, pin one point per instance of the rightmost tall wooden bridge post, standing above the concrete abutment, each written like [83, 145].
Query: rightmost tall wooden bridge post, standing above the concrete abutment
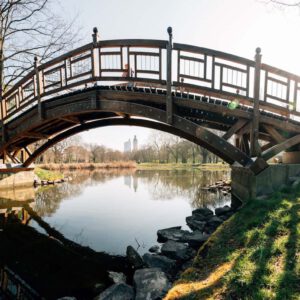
[255, 149]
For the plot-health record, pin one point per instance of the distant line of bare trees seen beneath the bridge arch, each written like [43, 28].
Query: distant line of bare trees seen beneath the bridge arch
[161, 148]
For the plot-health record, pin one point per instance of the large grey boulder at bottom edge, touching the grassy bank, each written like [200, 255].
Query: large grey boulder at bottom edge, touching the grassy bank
[150, 284]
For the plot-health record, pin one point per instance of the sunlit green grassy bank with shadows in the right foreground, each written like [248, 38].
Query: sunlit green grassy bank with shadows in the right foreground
[253, 255]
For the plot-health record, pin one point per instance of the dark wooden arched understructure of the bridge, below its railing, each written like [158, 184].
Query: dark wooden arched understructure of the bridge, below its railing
[194, 116]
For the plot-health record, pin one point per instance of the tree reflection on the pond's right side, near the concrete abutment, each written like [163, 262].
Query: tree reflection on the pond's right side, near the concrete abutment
[185, 183]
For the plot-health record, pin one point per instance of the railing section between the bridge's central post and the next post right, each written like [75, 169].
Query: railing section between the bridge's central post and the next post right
[209, 70]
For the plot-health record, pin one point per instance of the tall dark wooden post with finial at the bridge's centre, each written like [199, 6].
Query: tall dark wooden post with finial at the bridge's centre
[169, 102]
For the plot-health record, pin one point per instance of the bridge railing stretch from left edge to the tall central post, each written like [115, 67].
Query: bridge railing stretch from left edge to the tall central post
[105, 61]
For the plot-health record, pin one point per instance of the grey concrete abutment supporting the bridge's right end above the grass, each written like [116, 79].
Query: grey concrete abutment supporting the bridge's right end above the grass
[246, 185]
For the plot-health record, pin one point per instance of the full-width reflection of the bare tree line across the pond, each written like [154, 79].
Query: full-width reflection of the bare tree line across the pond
[161, 184]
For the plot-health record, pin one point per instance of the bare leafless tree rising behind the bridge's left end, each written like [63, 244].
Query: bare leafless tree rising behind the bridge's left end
[29, 28]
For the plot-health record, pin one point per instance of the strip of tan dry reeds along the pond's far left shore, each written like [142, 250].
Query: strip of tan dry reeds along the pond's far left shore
[89, 166]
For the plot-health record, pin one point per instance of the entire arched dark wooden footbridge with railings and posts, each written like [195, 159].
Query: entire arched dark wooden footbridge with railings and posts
[171, 85]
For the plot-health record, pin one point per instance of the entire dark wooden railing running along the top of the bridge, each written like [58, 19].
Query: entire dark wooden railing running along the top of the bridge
[195, 69]
